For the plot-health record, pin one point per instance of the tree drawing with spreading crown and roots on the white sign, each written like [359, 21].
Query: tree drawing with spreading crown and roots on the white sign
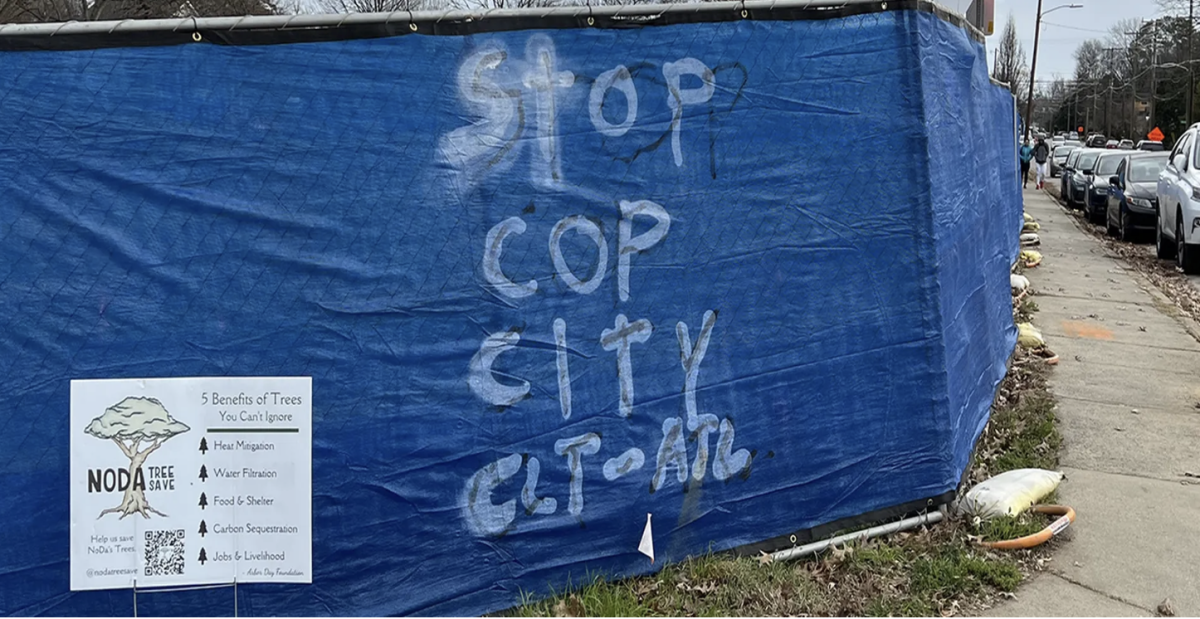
[129, 424]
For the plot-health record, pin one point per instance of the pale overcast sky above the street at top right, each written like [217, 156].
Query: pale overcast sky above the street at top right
[1064, 31]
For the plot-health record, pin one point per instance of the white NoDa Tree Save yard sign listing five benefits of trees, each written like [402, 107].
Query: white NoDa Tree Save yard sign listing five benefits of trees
[182, 482]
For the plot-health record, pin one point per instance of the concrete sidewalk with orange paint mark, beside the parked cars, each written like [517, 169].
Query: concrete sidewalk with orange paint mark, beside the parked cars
[1129, 392]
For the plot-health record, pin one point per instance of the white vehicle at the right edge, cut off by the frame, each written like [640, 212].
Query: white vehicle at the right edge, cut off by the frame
[1178, 235]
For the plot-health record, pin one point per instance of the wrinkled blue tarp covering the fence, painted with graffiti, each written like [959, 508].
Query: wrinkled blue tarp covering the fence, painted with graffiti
[767, 260]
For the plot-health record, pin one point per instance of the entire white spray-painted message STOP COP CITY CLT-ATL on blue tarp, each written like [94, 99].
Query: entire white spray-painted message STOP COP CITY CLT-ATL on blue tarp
[508, 97]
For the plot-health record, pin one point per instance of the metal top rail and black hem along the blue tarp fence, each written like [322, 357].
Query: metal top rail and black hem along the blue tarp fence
[623, 15]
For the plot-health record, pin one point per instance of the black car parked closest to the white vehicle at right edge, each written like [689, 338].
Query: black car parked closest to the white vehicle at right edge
[1133, 195]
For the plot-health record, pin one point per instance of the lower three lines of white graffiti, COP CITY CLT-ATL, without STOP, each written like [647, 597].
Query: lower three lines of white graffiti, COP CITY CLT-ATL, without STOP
[483, 515]
